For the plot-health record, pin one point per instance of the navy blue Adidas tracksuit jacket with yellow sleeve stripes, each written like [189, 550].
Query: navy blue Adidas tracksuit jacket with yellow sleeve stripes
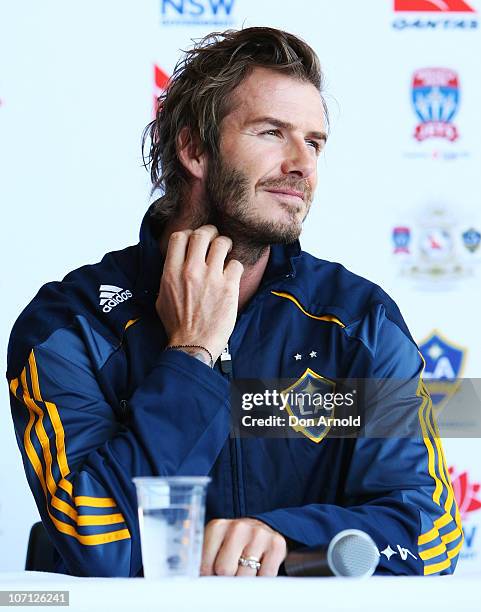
[96, 401]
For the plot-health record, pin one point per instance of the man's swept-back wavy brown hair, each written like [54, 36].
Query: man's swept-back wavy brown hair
[198, 95]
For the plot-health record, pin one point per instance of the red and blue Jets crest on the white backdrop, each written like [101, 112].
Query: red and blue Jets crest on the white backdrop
[435, 98]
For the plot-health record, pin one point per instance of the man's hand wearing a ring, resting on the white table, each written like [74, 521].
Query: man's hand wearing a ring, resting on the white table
[225, 540]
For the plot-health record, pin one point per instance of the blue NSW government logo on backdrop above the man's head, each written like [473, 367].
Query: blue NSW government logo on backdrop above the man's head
[197, 12]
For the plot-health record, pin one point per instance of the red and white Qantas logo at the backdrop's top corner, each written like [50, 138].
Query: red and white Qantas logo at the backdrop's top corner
[435, 15]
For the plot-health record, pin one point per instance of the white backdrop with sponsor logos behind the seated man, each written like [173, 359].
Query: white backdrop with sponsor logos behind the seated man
[77, 82]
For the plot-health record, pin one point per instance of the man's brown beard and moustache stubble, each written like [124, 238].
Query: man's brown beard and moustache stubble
[229, 207]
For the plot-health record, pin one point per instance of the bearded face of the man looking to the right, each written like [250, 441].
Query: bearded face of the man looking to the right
[261, 187]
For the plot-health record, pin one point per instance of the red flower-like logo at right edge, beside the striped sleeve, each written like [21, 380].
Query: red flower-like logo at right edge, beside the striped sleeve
[467, 497]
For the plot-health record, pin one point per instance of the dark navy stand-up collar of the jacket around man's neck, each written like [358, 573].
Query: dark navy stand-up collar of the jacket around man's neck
[282, 260]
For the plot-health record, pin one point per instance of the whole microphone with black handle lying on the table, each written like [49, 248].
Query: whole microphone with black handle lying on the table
[351, 552]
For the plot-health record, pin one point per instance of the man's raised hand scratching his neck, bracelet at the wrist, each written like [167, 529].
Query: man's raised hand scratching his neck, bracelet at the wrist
[198, 296]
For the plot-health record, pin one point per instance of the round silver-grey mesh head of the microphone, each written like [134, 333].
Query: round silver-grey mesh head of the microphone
[352, 553]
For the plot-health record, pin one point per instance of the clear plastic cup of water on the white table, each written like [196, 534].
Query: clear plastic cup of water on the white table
[171, 517]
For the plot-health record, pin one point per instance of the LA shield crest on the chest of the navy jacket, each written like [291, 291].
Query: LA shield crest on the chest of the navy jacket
[309, 404]
